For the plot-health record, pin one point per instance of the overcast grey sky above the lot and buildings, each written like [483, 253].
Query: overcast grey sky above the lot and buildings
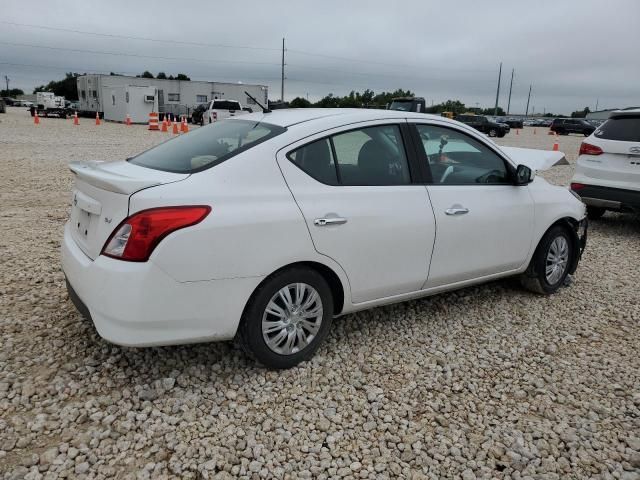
[574, 52]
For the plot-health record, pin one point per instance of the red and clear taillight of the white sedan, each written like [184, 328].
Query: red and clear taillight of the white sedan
[137, 236]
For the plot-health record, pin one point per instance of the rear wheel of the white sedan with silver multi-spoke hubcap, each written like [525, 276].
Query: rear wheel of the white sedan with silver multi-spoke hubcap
[278, 355]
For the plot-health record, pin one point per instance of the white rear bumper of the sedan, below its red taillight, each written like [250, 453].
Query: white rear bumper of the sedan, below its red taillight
[137, 304]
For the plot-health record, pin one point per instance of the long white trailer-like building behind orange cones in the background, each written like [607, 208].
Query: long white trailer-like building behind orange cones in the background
[116, 96]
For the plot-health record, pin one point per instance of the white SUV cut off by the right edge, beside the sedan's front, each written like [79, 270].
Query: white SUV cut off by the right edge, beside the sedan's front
[608, 169]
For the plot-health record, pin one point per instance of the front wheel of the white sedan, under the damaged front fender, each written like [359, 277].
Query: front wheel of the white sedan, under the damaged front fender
[536, 278]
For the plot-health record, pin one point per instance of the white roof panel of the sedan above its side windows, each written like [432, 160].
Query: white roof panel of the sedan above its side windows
[287, 117]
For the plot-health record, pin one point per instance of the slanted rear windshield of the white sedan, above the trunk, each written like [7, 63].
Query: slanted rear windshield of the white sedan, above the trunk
[206, 146]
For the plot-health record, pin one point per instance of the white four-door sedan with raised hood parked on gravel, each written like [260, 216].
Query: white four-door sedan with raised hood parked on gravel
[266, 227]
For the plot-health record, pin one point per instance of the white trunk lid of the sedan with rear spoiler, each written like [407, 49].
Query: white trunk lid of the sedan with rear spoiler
[101, 195]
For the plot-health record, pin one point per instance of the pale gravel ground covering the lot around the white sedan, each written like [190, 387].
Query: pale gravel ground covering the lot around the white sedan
[487, 382]
